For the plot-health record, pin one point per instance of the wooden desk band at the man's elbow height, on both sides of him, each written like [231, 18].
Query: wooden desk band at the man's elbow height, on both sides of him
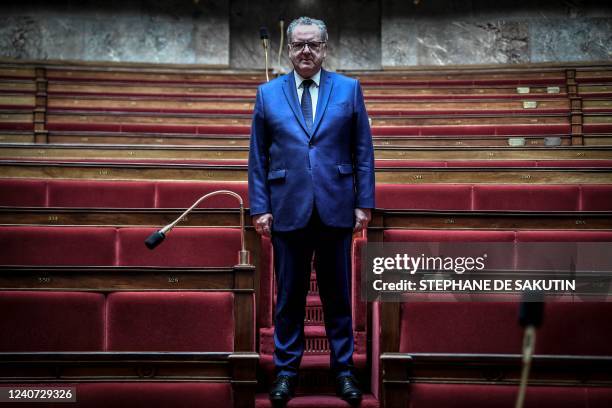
[401, 175]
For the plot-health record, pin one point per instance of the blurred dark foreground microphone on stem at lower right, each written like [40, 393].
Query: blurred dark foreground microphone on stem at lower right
[531, 313]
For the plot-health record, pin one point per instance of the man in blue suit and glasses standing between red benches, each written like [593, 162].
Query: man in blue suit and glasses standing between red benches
[311, 185]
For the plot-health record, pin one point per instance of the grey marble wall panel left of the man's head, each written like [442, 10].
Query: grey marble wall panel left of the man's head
[177, 31]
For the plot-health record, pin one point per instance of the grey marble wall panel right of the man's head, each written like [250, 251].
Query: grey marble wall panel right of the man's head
[438, 32]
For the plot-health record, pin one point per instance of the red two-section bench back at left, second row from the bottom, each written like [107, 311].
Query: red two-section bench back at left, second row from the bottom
[122, 321]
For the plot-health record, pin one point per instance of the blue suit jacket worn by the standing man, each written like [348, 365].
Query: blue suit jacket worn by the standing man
[332, 166]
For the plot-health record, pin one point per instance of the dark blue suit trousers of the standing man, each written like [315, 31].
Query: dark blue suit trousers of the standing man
[293, 254]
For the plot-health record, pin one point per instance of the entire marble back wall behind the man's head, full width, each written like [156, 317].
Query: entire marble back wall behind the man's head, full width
[364, 34]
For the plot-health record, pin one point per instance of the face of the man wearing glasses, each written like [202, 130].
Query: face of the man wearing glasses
[305, 60]
